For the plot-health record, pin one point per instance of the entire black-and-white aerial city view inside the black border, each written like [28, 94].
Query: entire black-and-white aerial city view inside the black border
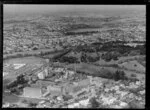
[74, 56]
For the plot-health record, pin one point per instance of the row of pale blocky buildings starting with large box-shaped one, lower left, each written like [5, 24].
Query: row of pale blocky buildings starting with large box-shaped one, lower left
[49, 90]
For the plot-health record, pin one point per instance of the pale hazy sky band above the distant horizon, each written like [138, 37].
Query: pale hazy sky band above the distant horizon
[28, 8]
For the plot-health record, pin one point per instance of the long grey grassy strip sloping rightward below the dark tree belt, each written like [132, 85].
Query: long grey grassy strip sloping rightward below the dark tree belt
[102, 70]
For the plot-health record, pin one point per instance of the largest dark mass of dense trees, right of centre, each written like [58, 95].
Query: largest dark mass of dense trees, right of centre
[114, 50]
